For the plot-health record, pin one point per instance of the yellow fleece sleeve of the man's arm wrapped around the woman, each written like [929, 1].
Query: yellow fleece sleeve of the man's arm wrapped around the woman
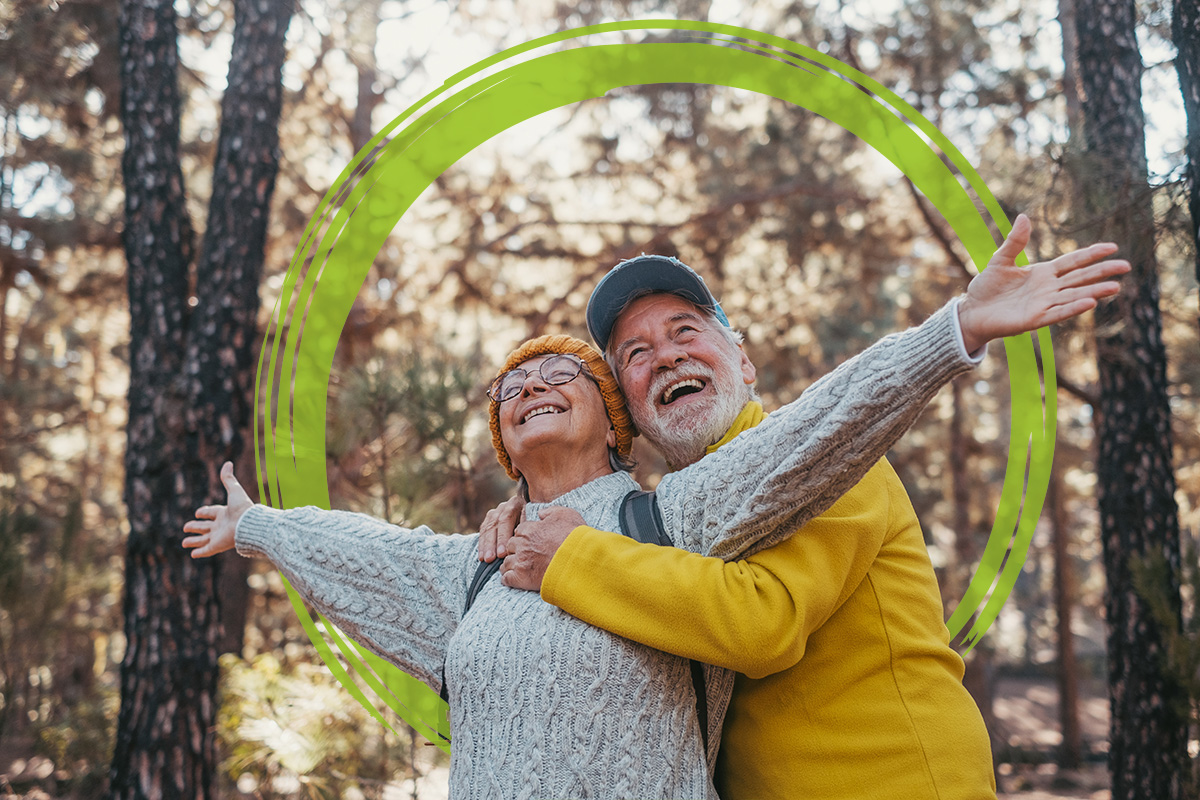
[752, 616]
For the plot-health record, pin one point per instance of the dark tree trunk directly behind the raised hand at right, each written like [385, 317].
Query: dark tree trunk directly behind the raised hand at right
[1139, 519]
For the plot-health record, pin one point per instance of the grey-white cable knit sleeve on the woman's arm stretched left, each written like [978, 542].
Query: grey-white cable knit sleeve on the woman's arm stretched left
[398, 592]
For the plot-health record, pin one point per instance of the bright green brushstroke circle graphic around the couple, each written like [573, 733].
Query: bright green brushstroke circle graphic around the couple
[385, 179]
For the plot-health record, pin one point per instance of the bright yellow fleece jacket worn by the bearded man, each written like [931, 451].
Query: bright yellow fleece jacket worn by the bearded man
[848, 689]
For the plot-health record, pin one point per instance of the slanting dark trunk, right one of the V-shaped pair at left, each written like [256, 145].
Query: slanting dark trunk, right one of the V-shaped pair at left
[223, 335]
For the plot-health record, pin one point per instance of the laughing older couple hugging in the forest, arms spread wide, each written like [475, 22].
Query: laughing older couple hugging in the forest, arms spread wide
[787, 640]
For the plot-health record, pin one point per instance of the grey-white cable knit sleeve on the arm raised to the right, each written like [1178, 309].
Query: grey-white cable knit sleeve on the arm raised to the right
[766, 484]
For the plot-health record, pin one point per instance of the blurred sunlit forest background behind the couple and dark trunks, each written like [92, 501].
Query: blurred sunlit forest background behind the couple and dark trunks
[815, 245]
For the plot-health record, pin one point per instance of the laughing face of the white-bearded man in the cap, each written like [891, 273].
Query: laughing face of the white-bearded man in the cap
[685, 381]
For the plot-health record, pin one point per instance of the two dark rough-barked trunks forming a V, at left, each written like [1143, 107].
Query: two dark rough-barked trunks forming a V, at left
[191, 338]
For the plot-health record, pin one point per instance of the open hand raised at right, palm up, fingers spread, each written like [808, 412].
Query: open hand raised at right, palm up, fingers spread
[1005, 299]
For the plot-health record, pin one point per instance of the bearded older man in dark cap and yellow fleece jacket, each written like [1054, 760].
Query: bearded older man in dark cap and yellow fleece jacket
[847, 687]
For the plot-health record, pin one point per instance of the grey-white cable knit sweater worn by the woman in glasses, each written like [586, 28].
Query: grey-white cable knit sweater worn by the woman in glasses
[543, 706]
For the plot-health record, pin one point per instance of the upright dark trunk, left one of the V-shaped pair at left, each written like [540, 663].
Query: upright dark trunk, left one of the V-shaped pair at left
[164, 748]
